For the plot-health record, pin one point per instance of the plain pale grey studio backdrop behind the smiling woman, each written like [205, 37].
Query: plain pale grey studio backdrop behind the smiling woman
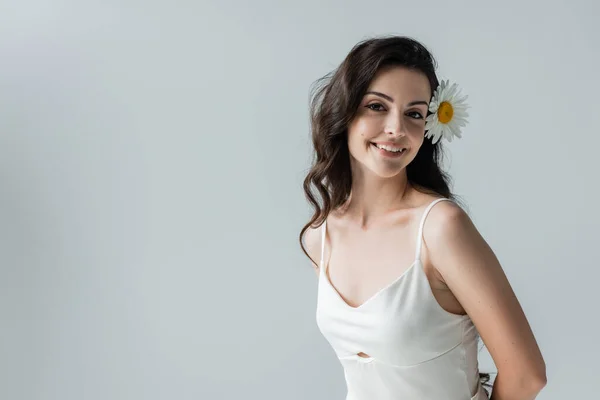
[151, 164]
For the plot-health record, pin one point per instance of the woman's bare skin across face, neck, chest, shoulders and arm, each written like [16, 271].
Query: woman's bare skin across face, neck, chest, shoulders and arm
[371, 239]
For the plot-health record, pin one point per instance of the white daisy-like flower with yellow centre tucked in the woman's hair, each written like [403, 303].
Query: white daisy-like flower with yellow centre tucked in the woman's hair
[449, 113]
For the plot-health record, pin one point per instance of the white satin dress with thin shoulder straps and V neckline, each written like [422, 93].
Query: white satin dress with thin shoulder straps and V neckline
[417, 350]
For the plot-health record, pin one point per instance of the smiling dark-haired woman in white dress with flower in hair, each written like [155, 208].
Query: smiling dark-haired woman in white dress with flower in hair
[406, 282]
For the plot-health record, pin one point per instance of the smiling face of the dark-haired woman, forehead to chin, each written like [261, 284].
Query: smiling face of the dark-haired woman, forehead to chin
[392, 112]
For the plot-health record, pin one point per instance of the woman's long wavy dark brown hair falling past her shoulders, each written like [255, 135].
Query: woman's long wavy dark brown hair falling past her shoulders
[335, 99]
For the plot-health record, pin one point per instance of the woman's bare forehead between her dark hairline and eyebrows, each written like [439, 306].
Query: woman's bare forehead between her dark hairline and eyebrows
[402, 82]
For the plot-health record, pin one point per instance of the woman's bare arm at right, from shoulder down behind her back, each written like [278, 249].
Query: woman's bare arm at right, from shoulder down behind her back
[473, 273]
